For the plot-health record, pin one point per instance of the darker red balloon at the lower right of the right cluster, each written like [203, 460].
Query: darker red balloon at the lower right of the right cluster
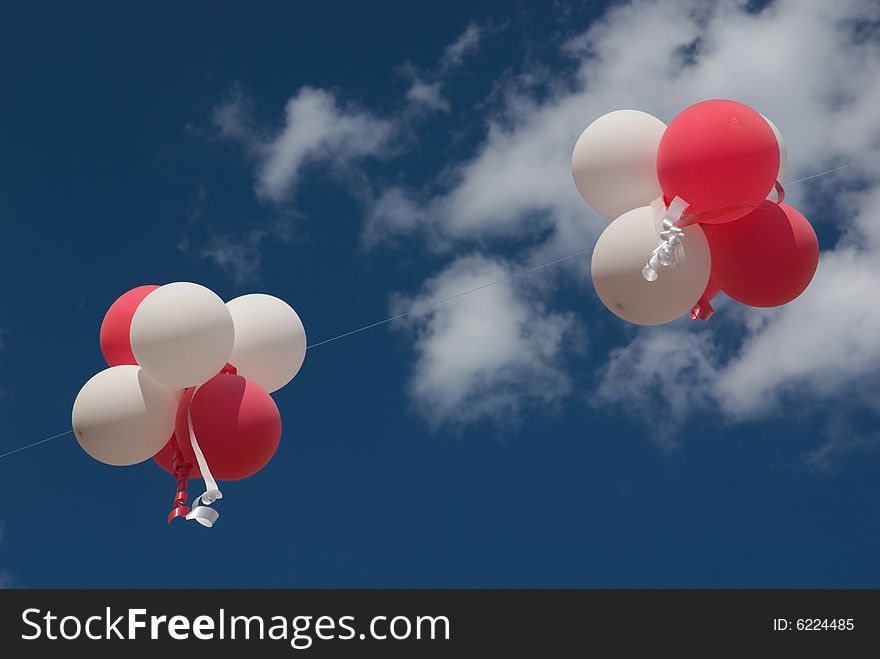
[767, 258]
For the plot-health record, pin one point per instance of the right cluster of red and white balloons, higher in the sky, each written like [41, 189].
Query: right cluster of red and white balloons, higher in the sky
[699, 210]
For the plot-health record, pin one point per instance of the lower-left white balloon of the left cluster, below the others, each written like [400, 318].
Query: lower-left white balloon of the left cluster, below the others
[122, 417]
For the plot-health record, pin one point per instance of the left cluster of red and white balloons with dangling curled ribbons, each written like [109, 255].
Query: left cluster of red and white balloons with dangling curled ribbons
[188, 385]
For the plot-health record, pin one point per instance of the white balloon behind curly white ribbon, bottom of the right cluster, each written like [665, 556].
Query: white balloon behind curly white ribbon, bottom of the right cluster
[621, 253]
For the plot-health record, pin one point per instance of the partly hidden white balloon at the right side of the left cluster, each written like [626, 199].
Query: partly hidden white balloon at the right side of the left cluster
[270, 340]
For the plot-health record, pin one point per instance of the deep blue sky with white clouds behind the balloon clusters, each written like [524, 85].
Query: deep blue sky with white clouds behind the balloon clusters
[362, 159]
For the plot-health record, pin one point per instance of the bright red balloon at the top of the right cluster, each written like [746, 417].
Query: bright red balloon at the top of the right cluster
[721, 157]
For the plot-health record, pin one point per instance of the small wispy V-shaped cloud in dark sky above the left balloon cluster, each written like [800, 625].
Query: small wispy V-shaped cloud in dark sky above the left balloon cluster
[317, 131]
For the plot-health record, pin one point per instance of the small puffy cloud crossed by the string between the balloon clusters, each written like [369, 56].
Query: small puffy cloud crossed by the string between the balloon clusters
[487, 356]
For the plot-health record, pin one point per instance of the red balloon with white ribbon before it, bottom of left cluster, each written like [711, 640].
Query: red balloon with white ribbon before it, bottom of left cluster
[236, 424]
